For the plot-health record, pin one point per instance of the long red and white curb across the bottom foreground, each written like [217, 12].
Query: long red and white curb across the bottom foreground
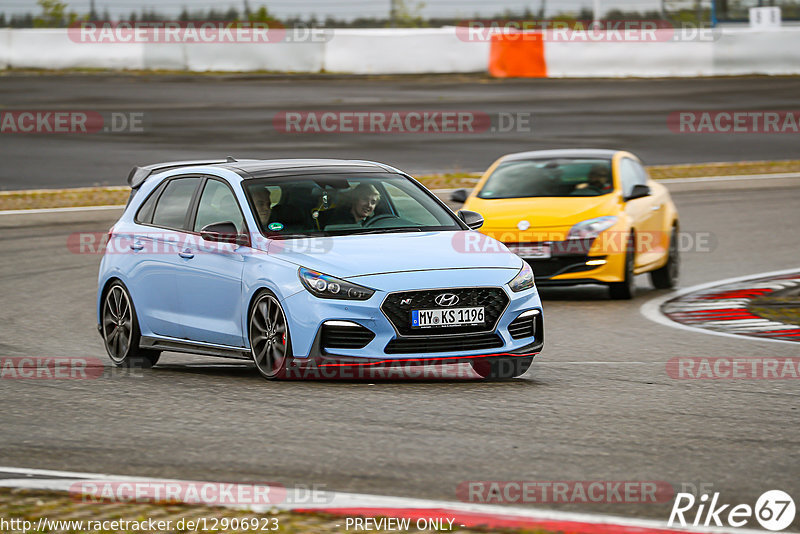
[459, 514]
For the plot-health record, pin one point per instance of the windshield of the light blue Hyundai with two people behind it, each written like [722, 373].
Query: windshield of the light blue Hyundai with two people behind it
[333, 204]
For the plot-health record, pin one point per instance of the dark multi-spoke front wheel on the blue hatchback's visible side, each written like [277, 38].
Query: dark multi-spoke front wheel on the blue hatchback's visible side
[268, 332]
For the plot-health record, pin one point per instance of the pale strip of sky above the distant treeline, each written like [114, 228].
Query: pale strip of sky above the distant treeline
[343, 9]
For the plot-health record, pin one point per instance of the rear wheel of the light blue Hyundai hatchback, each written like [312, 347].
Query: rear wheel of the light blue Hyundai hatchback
[120, 330]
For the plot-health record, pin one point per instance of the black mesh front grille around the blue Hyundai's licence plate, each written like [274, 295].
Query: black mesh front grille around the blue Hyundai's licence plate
[398, 306]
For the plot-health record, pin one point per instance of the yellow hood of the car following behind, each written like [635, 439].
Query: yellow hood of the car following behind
[543, 212]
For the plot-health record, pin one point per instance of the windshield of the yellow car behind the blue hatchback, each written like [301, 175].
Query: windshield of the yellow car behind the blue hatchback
[549, 178]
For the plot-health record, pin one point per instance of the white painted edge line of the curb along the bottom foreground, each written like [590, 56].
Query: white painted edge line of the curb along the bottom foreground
[332, 500]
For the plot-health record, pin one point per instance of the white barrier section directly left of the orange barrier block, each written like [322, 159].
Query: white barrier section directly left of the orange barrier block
[404, 51]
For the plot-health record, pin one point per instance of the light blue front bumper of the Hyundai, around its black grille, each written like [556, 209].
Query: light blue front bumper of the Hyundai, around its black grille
[384, 343]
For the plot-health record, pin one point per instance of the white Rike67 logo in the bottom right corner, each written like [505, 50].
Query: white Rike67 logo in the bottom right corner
[774, 510]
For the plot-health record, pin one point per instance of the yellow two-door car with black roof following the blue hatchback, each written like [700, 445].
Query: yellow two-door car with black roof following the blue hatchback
[580, 217]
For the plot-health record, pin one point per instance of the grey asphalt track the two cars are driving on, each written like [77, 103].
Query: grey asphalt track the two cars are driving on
[596, 405]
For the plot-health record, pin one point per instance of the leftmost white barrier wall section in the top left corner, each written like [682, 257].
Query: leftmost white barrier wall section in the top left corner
[53, 49]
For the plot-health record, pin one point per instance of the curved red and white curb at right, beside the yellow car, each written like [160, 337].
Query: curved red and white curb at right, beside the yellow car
[720, 307]
